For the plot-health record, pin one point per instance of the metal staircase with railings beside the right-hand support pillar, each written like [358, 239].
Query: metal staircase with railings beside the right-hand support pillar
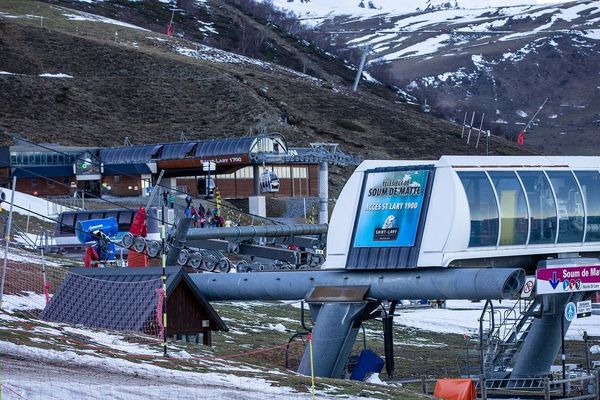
[502, 334]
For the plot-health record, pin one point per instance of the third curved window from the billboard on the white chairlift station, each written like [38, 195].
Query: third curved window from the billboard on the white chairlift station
[541, 206]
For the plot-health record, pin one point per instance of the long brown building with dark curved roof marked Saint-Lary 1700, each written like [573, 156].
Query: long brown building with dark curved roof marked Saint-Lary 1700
[50, 170]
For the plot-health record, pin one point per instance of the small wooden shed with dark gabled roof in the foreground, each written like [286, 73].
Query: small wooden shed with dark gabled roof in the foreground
[127, 299]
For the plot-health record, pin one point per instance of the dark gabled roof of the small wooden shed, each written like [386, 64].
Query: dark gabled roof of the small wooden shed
[128, 297]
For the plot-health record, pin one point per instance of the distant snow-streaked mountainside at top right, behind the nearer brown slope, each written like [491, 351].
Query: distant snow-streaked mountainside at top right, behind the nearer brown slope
[501, 58]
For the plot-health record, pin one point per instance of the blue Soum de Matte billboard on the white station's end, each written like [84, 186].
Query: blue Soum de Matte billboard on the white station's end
[390, 209]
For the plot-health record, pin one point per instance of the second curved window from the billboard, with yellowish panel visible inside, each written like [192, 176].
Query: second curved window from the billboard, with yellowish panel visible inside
[513, 207]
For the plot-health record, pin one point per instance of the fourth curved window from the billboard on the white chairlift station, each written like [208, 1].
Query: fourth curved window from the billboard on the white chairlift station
[569, 205]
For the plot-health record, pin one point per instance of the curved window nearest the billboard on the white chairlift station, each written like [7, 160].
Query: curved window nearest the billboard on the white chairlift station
[482, 207]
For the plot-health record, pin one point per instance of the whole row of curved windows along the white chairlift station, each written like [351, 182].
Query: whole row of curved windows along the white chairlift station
[532, 207]
